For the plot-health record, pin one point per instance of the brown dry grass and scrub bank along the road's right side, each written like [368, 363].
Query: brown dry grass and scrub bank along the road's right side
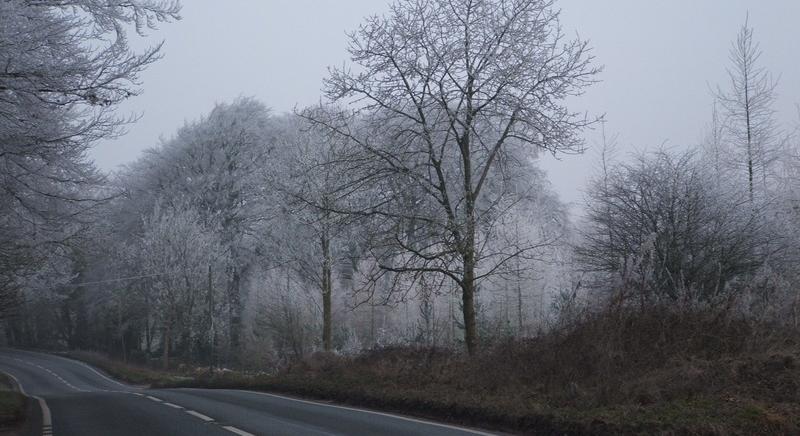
[614, 373]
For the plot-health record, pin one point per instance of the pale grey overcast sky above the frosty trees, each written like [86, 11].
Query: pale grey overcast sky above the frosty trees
[660, 58]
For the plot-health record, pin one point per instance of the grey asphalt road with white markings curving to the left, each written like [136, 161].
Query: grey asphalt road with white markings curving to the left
[76, 399]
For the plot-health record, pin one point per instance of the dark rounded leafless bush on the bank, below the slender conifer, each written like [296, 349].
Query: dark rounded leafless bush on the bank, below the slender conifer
[666, 232]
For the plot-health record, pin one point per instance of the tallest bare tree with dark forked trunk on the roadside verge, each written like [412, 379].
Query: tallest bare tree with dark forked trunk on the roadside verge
[450, 98]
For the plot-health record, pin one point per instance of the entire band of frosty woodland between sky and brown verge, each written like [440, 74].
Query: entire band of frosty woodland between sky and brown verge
[407, 208]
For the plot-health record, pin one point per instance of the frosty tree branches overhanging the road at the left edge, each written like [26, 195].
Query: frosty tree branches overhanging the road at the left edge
[66, 65]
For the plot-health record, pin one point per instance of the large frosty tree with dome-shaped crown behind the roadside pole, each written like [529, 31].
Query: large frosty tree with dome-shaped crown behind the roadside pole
[211, 166]
